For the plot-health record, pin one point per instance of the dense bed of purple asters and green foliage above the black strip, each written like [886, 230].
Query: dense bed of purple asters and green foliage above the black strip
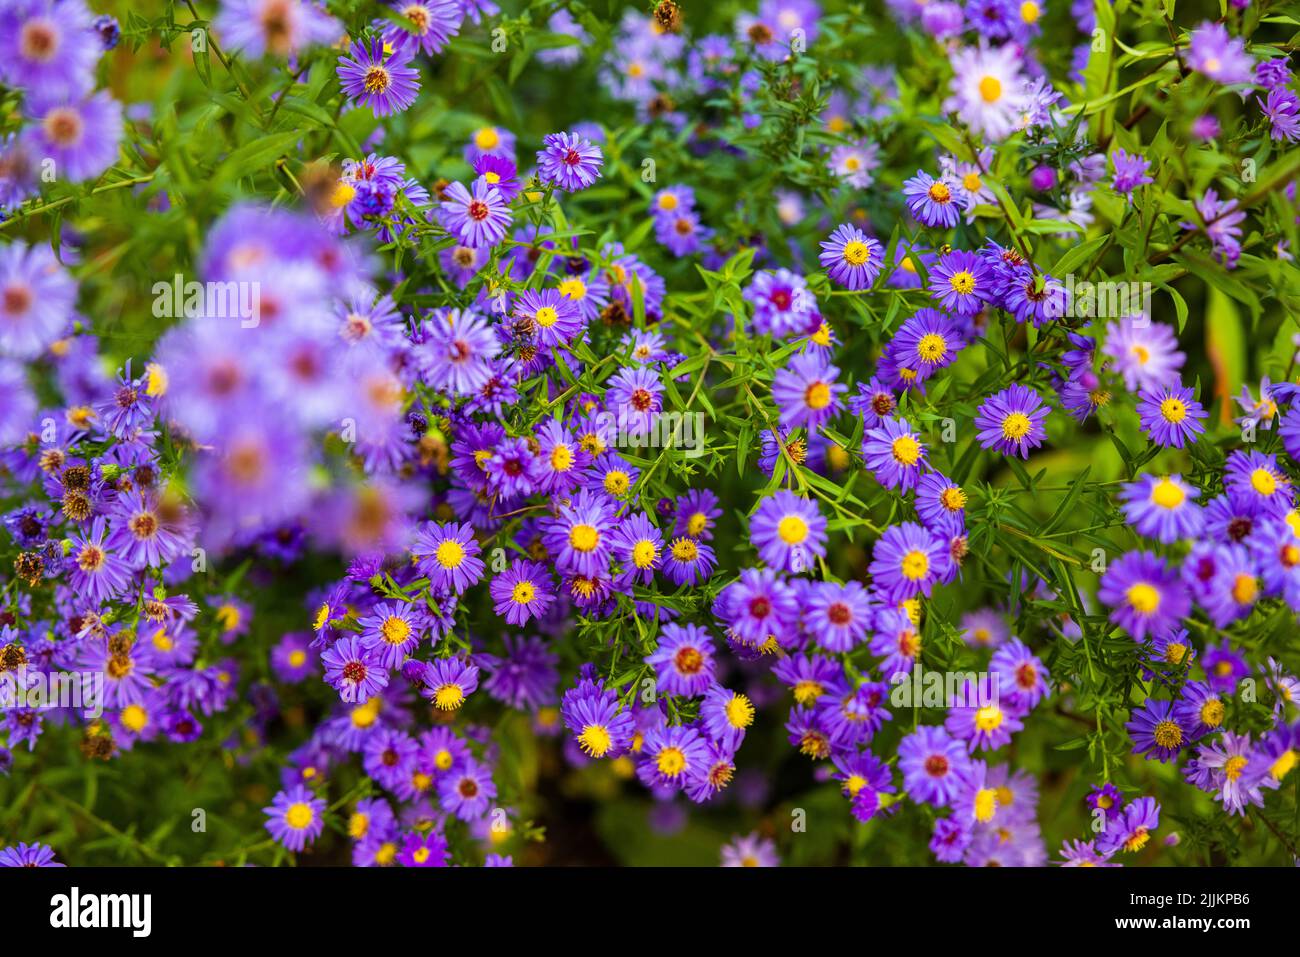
[435, 434]
